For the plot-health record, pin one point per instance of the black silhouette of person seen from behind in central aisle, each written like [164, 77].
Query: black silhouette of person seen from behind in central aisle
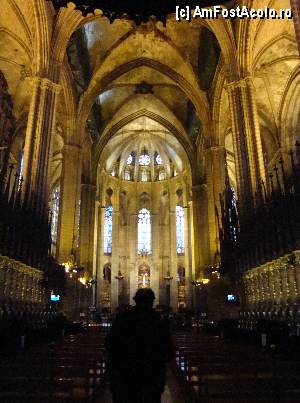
[138, 348]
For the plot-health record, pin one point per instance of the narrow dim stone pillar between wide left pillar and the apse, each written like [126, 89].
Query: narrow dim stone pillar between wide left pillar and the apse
[87, 216]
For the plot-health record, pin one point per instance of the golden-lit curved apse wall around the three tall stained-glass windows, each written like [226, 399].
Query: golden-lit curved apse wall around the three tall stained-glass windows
[161, 200]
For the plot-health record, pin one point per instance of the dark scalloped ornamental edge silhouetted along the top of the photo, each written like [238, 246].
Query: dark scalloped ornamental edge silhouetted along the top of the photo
[136, 10]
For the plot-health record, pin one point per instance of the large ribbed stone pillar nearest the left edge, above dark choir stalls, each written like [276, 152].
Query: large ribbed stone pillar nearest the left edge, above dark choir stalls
[39, 134]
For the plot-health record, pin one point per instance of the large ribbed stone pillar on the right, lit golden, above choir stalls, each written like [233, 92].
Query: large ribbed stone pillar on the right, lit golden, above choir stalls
[246, 140]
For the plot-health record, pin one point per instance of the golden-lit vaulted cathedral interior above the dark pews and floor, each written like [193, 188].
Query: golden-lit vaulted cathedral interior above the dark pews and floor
[149, 153]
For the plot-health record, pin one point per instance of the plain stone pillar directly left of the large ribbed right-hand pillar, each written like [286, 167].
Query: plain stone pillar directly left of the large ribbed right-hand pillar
[215, 178]
